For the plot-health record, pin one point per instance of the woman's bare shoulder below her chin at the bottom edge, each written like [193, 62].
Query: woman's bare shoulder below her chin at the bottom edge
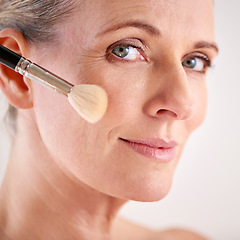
[125, 230]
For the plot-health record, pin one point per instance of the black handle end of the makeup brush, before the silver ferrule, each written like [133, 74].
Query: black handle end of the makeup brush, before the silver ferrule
[8, 57]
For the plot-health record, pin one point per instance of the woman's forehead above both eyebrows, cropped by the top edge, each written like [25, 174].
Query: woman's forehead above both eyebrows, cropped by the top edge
[166, 15]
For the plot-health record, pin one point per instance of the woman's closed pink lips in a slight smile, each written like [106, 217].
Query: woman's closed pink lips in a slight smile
[156, 149]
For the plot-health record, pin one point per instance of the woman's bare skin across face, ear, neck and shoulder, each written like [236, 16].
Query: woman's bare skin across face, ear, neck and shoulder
[66, 178]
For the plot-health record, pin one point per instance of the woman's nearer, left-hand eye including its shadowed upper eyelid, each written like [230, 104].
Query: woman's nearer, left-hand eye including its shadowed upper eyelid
[126, 50]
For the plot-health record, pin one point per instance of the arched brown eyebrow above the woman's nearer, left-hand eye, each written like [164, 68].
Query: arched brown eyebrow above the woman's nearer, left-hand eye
[137, 24]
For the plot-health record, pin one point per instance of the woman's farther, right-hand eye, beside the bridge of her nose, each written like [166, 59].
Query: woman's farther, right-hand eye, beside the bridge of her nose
[198, 62]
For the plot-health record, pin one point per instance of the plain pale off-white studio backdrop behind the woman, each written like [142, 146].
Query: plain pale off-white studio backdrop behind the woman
[206, 194]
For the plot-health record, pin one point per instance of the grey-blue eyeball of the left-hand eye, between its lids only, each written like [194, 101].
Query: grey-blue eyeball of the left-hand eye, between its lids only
[127, 52]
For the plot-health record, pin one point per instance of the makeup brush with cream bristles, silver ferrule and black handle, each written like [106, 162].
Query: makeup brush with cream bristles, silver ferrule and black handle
[90, 101]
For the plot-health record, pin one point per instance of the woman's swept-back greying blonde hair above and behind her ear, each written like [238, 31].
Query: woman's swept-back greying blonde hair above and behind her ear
[36, 20]
